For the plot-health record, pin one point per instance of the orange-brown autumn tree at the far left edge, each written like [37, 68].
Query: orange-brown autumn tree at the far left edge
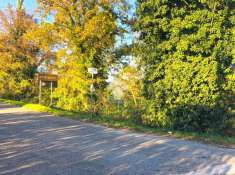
[19, 56]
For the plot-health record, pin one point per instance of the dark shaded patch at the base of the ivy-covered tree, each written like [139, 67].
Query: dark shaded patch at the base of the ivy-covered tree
[198, 118]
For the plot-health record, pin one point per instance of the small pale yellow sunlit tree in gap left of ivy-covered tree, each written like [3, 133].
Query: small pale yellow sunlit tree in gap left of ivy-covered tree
[125, 93]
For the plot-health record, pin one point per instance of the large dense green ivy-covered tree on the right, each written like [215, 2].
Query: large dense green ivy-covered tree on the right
[186, 50]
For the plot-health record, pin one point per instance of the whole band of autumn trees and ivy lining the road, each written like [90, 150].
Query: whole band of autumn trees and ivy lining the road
[177, 72]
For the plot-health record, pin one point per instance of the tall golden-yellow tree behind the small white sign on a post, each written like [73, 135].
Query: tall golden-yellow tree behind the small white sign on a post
[85, 31]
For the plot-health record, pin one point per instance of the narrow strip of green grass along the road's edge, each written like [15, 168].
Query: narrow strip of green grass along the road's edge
[109, 121]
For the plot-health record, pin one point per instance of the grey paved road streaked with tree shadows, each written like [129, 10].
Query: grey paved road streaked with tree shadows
[39, 144]
